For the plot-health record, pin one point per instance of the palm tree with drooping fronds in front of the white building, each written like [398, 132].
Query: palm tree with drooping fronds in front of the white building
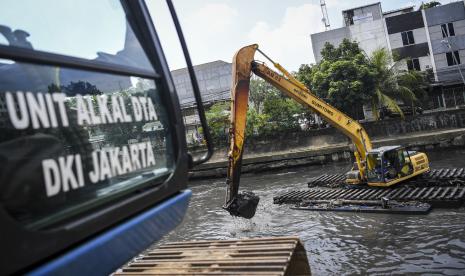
[392, 85]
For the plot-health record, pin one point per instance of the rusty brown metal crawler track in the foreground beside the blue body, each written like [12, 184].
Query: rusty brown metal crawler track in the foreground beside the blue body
[256, 256]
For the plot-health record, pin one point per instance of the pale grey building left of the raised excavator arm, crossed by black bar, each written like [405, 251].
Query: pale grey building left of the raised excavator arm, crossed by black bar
[214, 79]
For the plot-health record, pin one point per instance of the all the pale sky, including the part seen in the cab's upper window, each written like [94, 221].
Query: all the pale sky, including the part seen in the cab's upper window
[214, 29]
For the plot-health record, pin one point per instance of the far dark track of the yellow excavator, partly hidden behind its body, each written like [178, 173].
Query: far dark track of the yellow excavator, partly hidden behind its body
[435, 177]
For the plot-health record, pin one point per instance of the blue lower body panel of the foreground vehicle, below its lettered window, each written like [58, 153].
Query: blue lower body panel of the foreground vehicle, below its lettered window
[105, 253]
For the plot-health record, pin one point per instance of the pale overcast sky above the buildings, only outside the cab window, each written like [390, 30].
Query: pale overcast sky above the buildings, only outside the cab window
[216, 29]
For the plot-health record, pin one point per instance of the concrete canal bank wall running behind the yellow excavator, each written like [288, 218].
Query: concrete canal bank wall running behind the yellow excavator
[317, 155]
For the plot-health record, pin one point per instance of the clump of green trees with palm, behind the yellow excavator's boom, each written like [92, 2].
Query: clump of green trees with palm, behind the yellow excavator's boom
[347, 79]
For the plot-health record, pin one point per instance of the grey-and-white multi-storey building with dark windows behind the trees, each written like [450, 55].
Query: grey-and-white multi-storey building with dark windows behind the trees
[430, 40]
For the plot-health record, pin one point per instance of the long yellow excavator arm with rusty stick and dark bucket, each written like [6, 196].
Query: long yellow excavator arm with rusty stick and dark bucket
[244, 204]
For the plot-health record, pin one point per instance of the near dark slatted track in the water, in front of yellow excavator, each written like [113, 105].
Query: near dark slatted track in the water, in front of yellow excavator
[441, 196]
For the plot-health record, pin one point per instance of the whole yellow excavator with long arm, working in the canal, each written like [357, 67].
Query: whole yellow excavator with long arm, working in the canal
[380, 167]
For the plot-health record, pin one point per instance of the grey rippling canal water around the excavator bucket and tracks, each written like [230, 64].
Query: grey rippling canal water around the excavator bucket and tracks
[336, 243]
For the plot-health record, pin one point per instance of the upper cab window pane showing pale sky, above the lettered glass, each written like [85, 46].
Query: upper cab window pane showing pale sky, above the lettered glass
[93, 30]
